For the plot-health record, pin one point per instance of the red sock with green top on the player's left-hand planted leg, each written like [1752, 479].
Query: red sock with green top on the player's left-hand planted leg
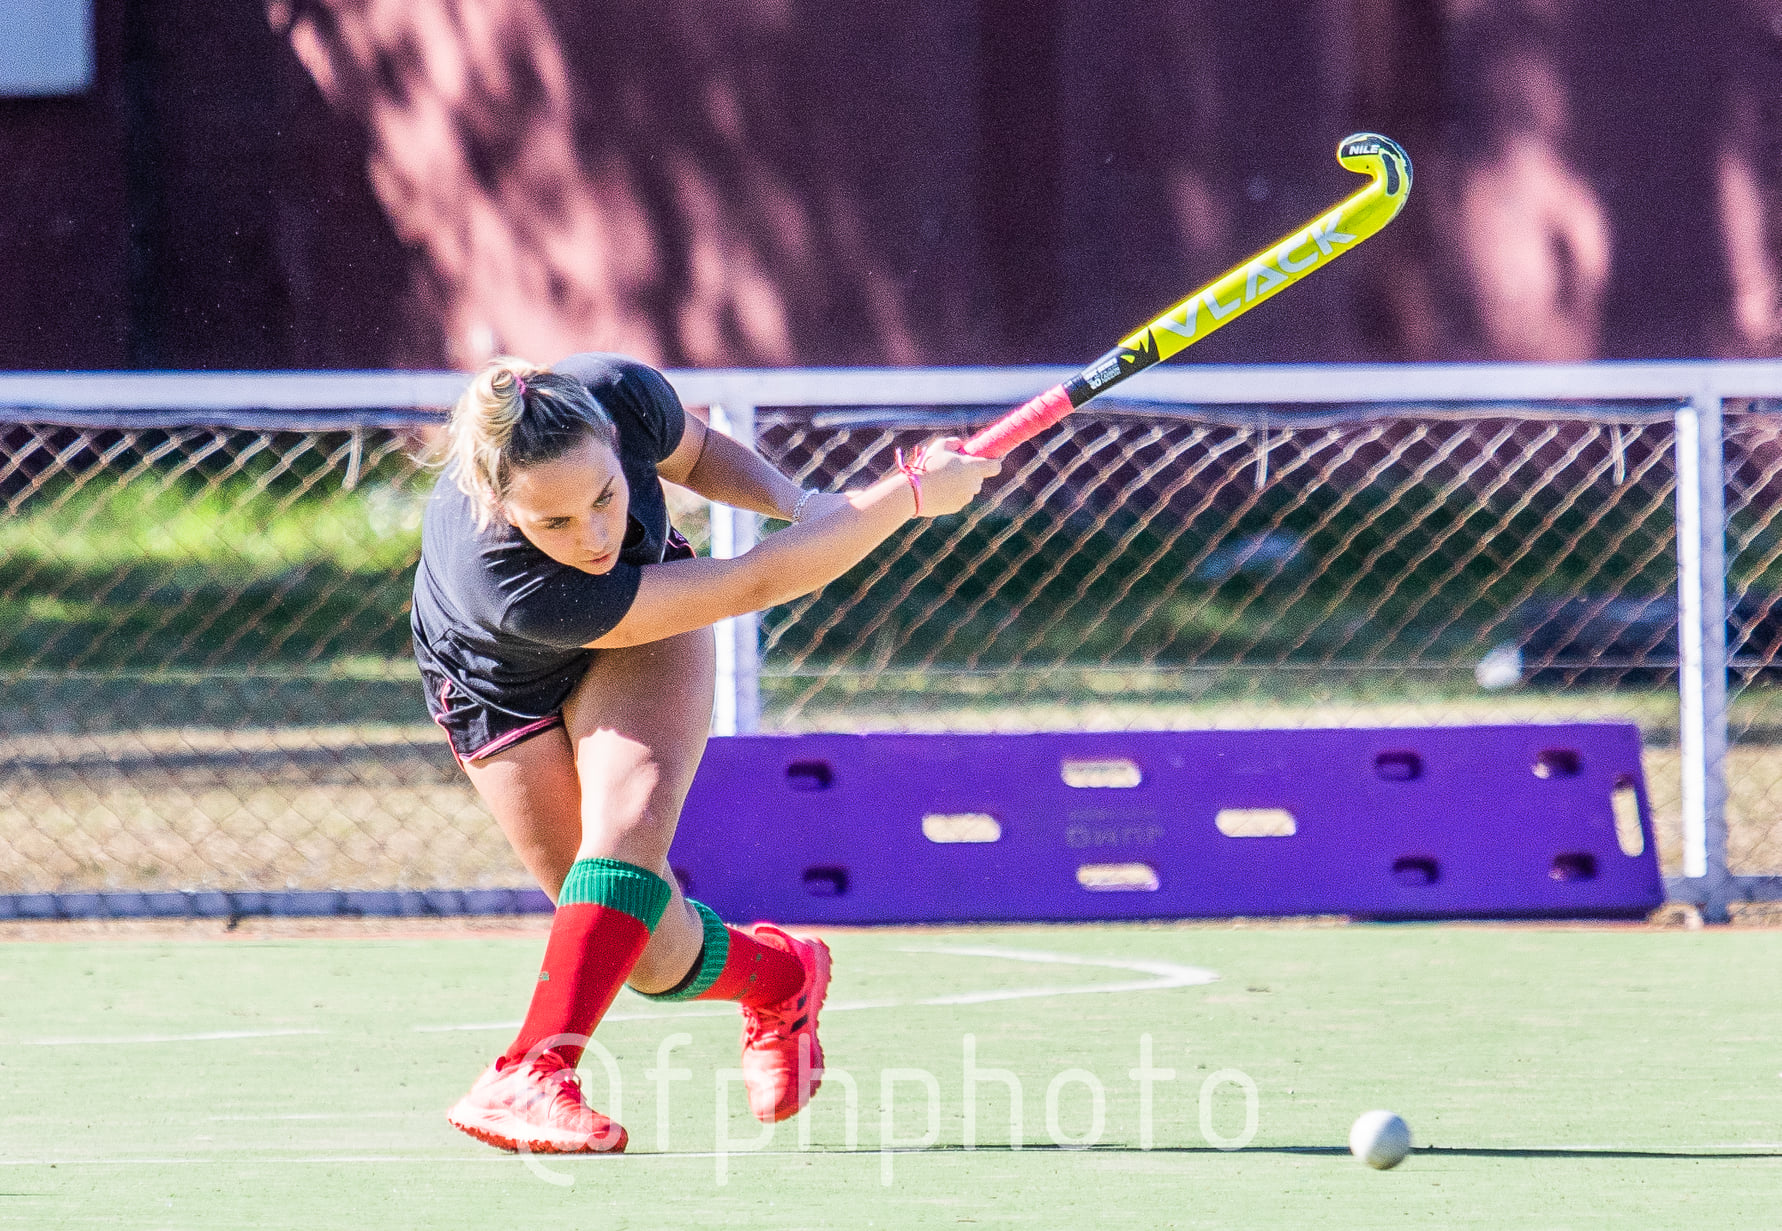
[605, 918]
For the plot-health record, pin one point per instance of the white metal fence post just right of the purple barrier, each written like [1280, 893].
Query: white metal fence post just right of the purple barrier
[1703, 651]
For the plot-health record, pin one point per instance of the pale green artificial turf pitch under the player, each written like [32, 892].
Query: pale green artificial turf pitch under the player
[1553, 1079]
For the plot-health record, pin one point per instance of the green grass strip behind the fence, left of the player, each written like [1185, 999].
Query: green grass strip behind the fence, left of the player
[206, 575]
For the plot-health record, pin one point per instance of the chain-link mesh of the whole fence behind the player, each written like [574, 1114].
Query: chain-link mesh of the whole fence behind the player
[204, 632]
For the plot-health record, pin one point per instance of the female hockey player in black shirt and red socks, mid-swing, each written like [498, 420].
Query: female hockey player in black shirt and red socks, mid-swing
[564, 635]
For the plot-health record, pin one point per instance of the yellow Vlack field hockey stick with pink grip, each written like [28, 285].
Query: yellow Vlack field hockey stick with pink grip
[1229, 297]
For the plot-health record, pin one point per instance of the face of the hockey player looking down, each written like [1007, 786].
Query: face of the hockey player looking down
[575, 509]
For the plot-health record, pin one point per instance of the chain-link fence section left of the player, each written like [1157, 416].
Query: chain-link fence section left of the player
[204, 649]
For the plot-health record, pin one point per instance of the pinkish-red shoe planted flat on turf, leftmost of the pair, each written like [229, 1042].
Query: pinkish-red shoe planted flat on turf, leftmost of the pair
[535, 1105]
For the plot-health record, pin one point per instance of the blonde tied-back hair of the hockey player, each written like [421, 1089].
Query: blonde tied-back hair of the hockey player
[512, 416]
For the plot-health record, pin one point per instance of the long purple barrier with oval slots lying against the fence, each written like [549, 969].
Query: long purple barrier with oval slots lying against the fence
[1391, 824]
